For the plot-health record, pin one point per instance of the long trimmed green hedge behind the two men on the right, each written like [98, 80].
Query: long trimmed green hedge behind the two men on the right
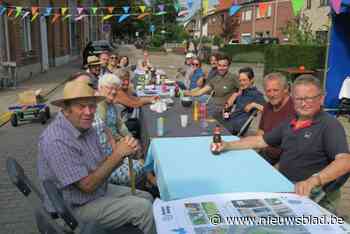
[278, 56]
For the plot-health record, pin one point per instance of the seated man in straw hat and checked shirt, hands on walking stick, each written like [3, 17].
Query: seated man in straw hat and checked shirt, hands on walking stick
[71, 156]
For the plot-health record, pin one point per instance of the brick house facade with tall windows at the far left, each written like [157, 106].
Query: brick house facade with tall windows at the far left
[36, 46]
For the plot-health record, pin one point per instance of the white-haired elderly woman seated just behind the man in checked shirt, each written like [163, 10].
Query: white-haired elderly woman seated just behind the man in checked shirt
[107, 119]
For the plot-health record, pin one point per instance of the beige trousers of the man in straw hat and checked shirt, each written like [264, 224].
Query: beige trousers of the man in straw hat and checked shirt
[119, 207]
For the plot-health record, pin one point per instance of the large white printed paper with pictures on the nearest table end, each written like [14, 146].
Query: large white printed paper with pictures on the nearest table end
[196, 215]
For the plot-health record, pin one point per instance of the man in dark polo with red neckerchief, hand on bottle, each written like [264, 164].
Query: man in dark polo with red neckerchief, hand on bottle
[314, 147]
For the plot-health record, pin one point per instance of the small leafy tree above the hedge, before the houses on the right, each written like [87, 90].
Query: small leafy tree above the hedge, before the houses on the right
[299, 31]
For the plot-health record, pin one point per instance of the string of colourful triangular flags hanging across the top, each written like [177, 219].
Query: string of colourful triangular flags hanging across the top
[139, 12]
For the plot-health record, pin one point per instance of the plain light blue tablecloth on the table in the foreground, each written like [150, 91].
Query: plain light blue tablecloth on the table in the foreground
[185, 167]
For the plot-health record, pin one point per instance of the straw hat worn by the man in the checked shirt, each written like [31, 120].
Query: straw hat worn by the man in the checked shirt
[77, 90]
